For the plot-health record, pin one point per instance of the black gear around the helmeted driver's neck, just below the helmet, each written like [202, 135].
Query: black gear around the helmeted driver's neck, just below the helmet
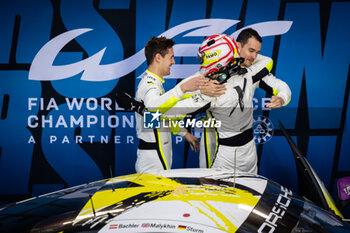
[232, 68]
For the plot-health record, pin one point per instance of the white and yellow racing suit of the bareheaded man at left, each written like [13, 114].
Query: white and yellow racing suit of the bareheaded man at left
[155, 147]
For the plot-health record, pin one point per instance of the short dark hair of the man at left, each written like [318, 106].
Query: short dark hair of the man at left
[157, 45]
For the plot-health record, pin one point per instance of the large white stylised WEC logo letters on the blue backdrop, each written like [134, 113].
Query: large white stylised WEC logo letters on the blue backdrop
[42, 68]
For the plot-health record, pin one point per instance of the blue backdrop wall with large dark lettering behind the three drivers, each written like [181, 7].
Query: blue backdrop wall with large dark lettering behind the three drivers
[62, 62]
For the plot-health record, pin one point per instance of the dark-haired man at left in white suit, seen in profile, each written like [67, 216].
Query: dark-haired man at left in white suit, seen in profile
[155, 146]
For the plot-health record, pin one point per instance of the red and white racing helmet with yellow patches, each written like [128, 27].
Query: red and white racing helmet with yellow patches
[216, 52]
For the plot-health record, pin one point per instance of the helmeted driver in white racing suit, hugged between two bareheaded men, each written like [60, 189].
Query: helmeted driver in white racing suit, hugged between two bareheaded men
[236, 147]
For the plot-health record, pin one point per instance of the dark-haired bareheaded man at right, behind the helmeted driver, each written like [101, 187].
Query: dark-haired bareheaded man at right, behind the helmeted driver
[249, 43]
